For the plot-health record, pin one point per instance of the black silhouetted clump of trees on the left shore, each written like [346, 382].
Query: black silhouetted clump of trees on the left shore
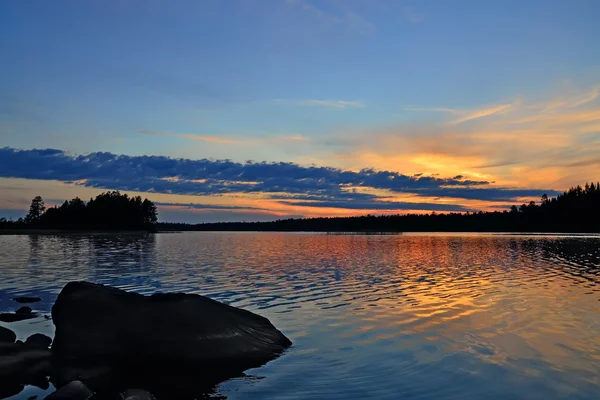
[108, 211]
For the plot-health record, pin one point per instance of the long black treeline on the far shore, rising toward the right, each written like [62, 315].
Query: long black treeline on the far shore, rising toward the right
[576, 210]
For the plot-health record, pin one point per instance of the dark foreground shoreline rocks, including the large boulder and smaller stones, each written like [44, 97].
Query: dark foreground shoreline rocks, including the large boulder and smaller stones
[113, 344]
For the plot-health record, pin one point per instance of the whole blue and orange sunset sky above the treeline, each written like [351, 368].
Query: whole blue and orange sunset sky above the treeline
[253, 110]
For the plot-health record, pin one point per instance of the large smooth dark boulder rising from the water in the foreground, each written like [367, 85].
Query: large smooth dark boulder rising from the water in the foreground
[102, 325]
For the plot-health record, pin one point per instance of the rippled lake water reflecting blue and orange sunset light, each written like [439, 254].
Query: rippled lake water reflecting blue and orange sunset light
[388, 317]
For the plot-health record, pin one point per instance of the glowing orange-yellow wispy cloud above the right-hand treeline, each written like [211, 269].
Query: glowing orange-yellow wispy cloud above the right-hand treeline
[526, 142]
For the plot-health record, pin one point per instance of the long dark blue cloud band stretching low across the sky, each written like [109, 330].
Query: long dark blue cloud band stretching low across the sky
[284, 181]
